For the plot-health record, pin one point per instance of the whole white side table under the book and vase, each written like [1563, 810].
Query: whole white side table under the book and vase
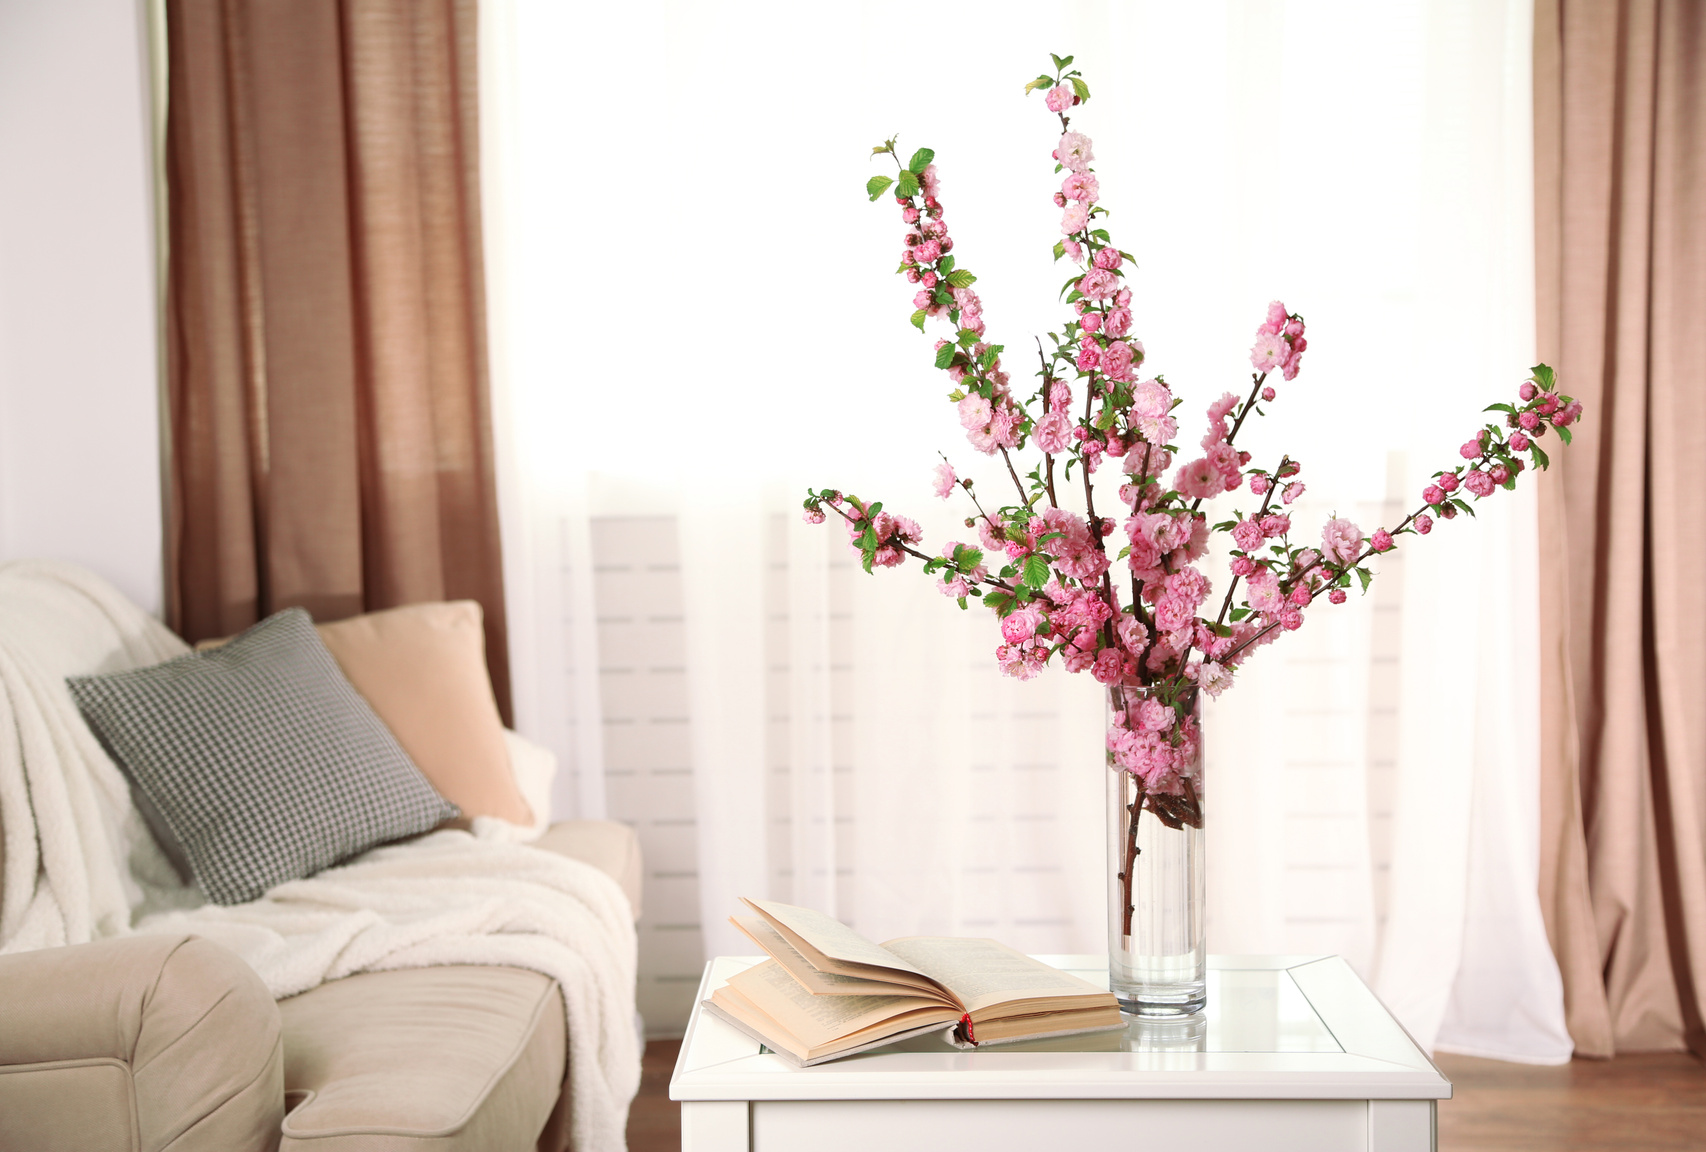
[1294, 1054]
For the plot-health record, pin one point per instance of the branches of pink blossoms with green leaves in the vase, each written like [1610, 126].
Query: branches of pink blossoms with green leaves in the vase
[1127, 600]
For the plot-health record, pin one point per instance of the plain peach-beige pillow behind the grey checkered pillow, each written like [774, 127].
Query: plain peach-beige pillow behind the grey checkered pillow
[424, 672]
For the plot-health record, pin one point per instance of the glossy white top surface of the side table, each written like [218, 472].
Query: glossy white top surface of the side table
[1275, 1028]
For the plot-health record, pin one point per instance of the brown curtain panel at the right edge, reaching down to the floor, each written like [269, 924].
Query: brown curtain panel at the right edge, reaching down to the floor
[1622, 274]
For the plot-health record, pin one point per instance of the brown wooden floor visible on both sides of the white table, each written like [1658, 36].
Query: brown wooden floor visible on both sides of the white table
[1644, 1103]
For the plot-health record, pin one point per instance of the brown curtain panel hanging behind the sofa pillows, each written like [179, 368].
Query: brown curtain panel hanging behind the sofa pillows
[330, 416]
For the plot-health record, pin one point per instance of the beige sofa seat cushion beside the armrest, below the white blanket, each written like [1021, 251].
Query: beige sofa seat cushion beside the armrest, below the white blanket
[439, 1059]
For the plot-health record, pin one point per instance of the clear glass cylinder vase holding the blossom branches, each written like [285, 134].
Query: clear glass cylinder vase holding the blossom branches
[1158, 960]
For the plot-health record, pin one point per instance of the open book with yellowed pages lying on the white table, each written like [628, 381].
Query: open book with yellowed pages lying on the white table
[828, 992]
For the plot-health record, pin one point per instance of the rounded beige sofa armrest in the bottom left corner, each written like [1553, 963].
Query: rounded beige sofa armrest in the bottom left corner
[139, 1044]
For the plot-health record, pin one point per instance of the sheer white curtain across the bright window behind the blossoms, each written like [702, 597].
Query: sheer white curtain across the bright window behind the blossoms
[699, 317]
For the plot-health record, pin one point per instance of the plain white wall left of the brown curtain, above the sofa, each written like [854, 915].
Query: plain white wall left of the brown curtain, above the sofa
[79, 399]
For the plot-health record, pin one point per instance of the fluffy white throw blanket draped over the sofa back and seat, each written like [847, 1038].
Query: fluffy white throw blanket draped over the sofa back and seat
[78, 863]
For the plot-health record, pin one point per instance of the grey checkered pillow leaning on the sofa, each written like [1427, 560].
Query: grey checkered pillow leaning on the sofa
[260, 759]
